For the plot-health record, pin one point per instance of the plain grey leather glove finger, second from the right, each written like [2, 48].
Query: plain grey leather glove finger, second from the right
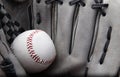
[83, 35]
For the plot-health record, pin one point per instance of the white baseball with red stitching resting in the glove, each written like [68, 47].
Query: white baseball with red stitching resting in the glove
[34, 49]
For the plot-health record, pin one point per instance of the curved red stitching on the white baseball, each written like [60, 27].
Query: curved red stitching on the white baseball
[31, 51]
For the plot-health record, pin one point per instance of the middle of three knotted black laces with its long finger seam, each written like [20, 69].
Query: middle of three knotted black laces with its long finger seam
[77, 4]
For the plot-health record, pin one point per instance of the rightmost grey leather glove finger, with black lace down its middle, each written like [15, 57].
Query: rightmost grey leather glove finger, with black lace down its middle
[105, 59]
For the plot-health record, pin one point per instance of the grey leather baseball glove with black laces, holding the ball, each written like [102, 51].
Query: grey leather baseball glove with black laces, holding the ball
[84, 32]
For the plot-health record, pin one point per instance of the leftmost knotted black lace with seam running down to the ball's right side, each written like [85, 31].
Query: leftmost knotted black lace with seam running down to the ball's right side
[54, 16]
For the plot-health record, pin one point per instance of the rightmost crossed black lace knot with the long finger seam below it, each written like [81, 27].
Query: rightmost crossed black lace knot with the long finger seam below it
[99, 7]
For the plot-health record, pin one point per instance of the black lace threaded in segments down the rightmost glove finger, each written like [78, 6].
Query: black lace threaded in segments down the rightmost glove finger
[106, 45]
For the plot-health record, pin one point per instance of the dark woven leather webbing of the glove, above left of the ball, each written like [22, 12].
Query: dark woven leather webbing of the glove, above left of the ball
[11, 29]
